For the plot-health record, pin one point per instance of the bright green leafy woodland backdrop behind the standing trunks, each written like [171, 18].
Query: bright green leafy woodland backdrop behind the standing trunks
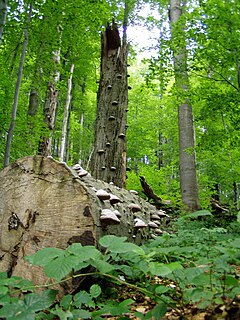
[59, 34]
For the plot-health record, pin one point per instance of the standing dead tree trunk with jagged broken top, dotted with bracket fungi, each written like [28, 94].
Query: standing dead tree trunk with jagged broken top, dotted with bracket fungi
[108, 161]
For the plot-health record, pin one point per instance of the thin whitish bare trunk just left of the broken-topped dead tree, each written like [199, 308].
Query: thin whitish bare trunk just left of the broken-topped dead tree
[66, 116]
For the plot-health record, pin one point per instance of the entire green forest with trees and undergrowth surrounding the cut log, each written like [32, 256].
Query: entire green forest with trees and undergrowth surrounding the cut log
[144, 95]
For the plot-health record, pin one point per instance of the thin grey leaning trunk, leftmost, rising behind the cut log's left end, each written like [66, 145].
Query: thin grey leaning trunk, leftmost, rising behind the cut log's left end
[16, 94]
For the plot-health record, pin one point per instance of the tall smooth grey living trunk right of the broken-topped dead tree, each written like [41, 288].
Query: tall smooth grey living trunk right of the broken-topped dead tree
[188, 181]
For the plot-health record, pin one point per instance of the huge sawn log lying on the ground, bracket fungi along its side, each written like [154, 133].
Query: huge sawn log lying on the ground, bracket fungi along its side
[45, 203]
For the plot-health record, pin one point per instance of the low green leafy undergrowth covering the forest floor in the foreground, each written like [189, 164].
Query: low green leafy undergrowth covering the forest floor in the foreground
[194, 266]
